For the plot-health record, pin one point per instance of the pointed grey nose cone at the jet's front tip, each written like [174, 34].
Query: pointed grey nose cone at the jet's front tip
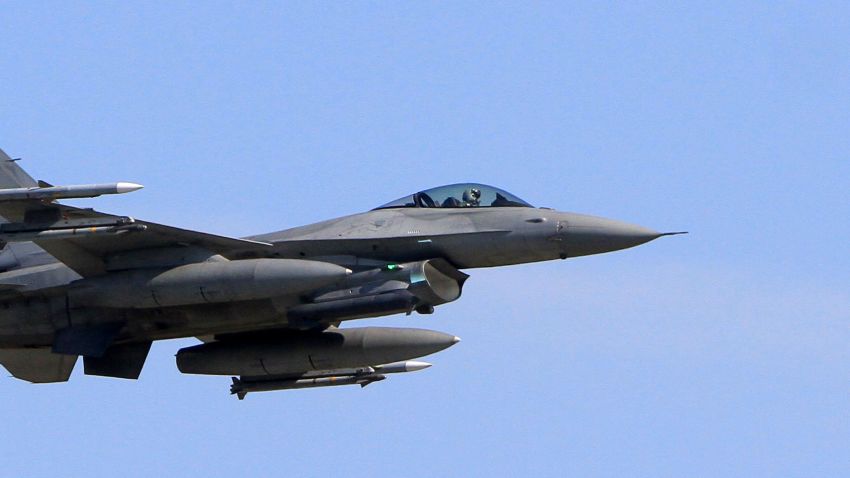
[587, 235]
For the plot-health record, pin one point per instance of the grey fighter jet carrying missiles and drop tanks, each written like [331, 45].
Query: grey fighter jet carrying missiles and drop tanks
[267, 309]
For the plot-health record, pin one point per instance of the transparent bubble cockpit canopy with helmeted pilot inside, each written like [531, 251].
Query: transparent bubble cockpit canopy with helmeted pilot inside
[459, 195]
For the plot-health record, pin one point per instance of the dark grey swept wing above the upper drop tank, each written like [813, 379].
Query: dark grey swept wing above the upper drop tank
[84, 238]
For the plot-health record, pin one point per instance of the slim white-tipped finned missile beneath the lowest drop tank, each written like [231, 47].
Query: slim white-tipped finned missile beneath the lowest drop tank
[330, 378]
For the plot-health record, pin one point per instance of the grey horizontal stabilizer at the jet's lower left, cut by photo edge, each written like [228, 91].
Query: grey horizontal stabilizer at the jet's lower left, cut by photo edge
[38, 365]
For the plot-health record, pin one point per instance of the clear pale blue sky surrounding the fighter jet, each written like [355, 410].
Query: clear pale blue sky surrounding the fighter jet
[722, 353]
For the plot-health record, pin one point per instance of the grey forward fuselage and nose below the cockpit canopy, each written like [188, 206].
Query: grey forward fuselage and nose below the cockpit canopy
[466, 237]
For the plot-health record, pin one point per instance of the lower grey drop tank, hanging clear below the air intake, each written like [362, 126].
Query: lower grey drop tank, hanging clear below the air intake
[296, 353]
